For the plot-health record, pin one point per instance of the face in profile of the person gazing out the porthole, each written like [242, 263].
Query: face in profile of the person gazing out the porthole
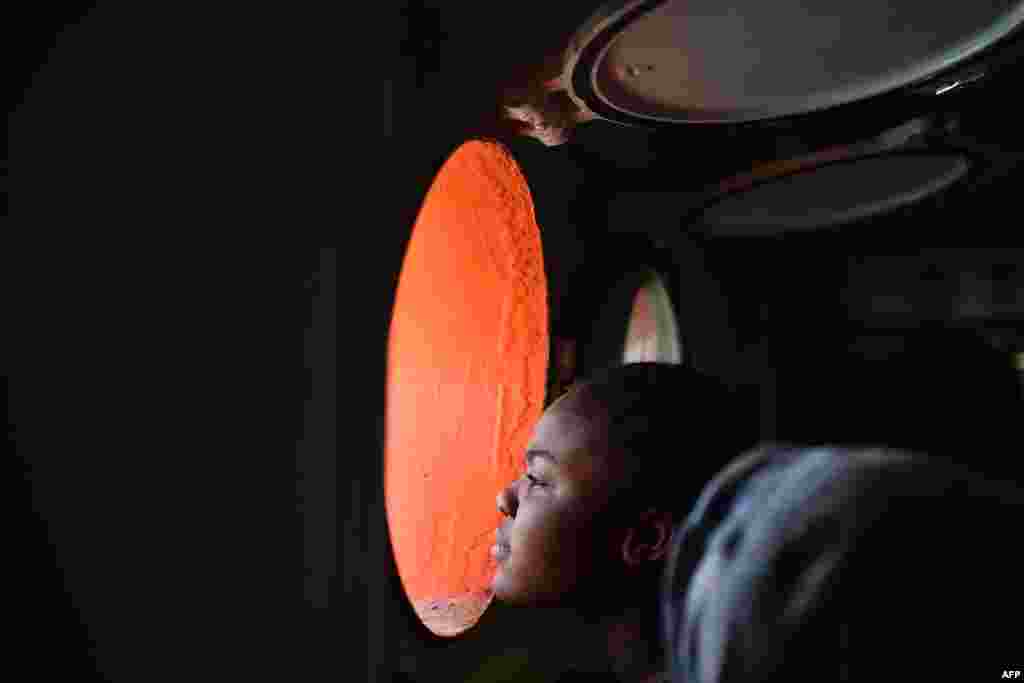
[549, 546]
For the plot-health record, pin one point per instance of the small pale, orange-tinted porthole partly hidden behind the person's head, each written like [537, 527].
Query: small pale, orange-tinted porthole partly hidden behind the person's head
[653, 334]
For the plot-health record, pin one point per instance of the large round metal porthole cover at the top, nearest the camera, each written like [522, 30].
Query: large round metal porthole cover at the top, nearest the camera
[713, 62]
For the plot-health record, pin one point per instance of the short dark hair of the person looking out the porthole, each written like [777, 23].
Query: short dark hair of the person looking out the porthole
[676, 429]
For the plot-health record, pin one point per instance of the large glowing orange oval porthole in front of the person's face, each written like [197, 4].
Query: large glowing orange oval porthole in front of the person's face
[467, 365]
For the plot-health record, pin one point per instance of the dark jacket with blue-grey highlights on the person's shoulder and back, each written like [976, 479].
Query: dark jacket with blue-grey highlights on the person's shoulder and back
[831, 565]
